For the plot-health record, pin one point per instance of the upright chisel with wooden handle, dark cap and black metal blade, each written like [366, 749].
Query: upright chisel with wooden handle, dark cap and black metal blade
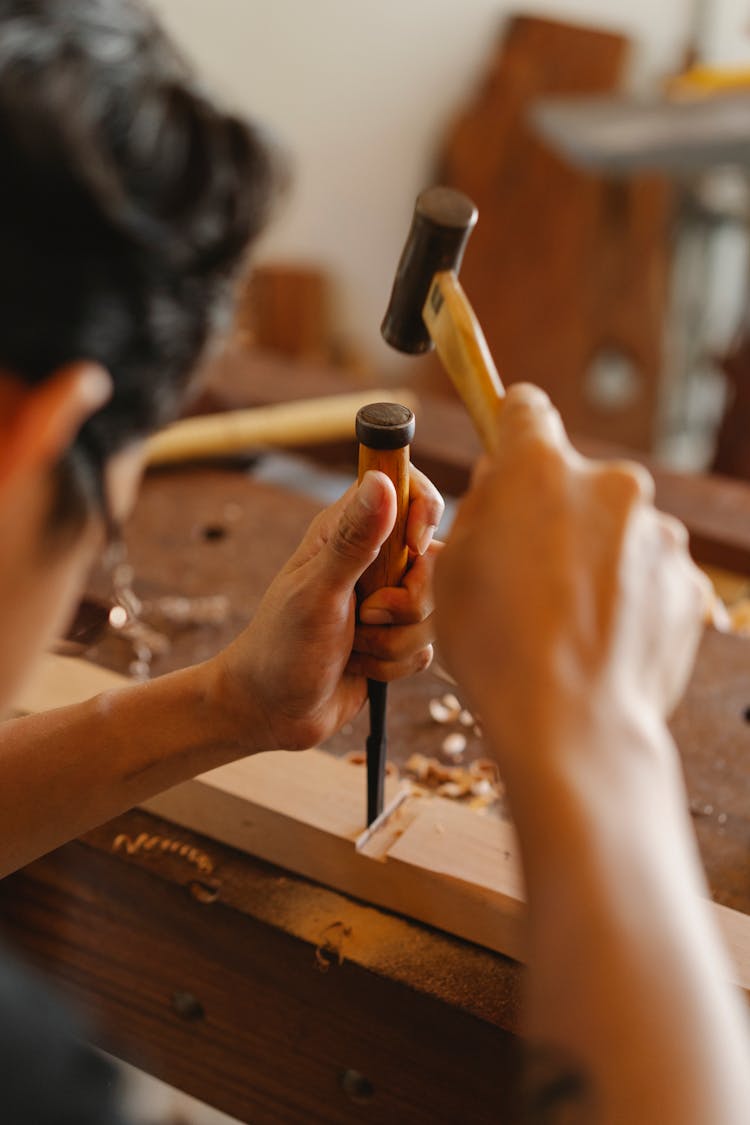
[385, 433]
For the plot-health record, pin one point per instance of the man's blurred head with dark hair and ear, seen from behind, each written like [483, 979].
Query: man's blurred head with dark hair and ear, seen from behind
[128, 202]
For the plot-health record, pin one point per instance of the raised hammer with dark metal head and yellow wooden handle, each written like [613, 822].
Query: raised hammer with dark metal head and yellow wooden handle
[429, 308]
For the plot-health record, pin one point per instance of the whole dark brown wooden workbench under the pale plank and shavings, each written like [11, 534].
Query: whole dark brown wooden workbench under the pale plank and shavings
[270, 997]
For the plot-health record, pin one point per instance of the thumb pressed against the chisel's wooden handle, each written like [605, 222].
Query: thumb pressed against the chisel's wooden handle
[365, 524]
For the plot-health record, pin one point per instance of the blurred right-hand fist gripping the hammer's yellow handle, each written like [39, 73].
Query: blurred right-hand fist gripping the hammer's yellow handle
[564, 598]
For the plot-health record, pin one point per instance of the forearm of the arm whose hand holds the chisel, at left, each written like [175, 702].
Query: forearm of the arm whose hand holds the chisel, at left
[66, 771]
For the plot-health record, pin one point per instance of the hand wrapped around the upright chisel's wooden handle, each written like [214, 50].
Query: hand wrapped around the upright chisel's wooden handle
[300, 670]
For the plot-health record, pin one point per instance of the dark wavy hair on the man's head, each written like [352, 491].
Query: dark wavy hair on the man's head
[128, 201]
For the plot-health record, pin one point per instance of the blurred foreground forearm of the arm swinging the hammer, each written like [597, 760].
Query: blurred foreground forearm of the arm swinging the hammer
[628, 984]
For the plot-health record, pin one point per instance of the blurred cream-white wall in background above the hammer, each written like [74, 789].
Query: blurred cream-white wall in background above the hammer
[362, 92]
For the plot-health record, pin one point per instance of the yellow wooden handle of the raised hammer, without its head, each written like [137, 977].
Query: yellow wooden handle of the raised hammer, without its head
[462, 346]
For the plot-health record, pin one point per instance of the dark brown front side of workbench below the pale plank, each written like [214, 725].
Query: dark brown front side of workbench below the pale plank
[245, 1015]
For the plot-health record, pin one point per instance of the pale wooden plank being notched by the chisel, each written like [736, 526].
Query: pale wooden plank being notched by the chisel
[439, 863]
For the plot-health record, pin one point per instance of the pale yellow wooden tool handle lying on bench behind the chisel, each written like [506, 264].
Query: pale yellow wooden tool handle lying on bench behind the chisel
[297, 424]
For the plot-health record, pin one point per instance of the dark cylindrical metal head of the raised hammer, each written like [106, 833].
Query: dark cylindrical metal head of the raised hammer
[444, 220]
